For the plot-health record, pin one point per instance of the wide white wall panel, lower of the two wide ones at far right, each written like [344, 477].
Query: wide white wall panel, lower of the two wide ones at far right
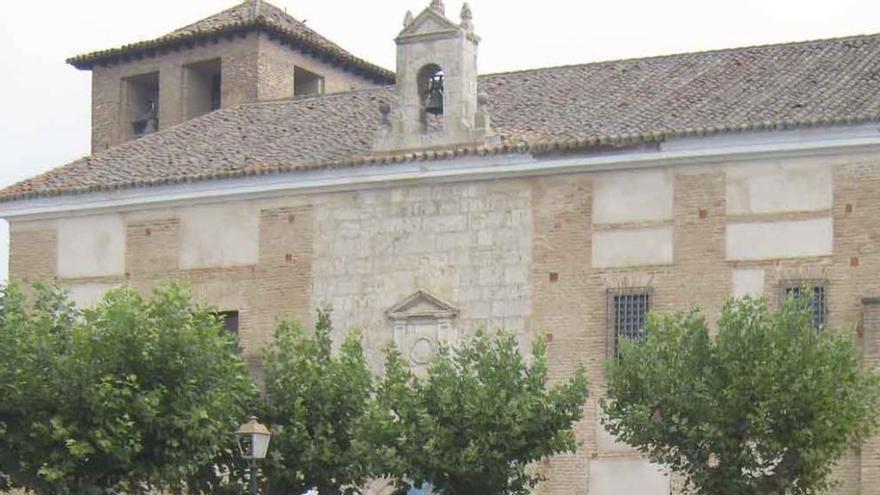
[780, 240]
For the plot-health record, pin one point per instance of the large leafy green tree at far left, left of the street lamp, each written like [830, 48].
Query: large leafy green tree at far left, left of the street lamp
[128, 397]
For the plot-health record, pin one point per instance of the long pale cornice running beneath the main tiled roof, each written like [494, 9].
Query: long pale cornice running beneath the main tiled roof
[797, 143]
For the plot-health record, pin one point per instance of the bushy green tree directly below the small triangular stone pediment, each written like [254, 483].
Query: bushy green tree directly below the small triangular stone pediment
[477, 420]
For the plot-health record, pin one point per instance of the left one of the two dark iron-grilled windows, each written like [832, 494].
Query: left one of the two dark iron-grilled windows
[627, 315]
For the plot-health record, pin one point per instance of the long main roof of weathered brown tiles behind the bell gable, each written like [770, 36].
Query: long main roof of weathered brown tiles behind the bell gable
[615, 103]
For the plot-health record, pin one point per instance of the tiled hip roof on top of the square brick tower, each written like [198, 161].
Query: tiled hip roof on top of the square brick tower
[251, 14]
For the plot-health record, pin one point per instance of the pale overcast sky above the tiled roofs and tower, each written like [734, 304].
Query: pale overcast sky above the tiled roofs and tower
[44, 103]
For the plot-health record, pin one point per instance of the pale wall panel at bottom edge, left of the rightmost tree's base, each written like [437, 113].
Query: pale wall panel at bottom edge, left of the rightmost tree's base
[627, 476]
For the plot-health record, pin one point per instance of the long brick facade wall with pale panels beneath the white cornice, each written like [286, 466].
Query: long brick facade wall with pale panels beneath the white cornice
[523, 254]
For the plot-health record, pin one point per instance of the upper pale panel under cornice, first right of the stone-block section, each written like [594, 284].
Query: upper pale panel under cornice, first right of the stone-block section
[632, 196]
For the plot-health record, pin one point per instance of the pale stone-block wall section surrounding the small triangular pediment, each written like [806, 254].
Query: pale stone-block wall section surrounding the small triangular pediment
[469, 244]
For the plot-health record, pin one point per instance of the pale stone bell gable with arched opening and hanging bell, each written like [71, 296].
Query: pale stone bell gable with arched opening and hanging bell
[437, 96]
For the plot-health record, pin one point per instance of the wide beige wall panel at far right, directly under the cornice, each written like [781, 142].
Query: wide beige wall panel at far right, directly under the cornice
[778, 188]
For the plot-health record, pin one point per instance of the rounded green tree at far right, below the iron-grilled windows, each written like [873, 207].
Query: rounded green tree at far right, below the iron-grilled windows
[765, 407]
